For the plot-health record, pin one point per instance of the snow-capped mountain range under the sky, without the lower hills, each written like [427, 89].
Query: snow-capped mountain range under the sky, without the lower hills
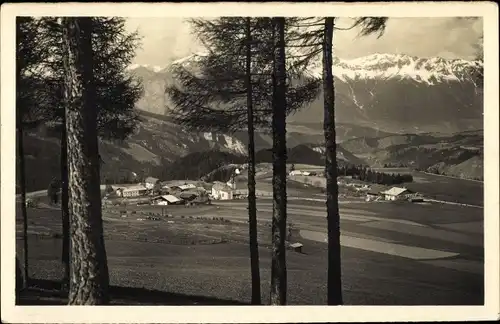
[391, 92]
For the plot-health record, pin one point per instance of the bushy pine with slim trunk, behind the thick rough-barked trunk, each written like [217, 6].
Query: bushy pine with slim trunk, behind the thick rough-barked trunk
[116, 93]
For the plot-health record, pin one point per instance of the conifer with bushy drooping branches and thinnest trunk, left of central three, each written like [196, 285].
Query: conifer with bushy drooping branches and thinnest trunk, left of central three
[230, 89]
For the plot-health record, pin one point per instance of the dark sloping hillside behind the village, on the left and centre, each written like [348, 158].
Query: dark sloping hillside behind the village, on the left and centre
[156, 149]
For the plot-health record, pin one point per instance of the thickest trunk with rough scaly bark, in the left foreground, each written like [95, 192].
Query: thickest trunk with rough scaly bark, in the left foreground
[89, 278]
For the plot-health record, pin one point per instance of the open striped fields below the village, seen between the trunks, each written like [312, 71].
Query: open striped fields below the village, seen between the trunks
[388, 251]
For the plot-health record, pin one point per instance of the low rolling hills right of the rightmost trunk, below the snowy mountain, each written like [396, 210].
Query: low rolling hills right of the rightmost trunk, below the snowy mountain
[459, 155]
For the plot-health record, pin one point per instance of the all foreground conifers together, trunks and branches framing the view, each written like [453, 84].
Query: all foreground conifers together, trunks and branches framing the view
[71, 74]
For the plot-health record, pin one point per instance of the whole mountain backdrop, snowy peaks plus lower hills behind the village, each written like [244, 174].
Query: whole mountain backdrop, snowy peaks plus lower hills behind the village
[390, 109]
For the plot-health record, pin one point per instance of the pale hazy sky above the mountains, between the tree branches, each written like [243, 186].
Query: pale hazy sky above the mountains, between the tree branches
[167, 39]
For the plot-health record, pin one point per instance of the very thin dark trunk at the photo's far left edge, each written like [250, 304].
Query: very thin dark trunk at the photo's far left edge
[24, 212]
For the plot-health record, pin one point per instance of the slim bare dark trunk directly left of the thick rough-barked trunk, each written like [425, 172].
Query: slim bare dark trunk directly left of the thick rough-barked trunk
[65, 257]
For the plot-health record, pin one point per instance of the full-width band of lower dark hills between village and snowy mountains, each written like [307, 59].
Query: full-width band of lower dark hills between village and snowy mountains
[163, 149]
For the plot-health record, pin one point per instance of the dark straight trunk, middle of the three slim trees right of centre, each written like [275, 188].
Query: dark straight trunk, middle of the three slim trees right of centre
[278, 265]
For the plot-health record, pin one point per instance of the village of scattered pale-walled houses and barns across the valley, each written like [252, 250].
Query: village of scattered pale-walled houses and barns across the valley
[153, 191]
